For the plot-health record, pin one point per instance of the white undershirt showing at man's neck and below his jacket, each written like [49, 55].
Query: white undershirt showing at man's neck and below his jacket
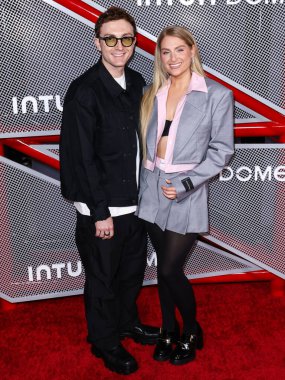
[83, 209]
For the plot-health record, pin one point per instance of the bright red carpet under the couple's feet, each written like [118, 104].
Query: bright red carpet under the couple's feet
[244, 338]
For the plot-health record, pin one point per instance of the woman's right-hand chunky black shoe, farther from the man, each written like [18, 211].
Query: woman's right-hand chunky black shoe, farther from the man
[185, 351]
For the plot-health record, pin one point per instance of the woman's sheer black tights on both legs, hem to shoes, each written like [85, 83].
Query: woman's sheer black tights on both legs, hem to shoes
[173, 286]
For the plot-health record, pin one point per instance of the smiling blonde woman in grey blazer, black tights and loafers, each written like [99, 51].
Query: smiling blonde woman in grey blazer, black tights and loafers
[187, 136]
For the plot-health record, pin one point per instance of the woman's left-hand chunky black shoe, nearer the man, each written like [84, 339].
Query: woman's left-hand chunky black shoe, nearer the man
[163, 348]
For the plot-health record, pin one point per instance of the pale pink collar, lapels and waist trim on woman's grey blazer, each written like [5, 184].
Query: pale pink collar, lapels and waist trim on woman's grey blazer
[197, 83]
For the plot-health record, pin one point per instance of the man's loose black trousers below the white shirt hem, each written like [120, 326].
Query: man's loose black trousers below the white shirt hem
[114, 272]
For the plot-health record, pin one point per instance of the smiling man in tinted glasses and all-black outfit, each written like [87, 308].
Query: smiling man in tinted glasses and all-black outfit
[99, 155]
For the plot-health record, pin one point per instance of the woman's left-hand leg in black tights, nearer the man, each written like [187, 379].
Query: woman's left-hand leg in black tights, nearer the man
[157, 237]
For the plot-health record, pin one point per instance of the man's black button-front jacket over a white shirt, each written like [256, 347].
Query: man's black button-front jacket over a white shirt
[98, 140]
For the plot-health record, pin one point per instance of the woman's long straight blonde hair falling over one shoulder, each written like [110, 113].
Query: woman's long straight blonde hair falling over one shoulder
[160, 76]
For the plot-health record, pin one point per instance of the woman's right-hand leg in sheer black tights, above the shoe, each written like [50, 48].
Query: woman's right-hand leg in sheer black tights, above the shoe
[170, 272]
